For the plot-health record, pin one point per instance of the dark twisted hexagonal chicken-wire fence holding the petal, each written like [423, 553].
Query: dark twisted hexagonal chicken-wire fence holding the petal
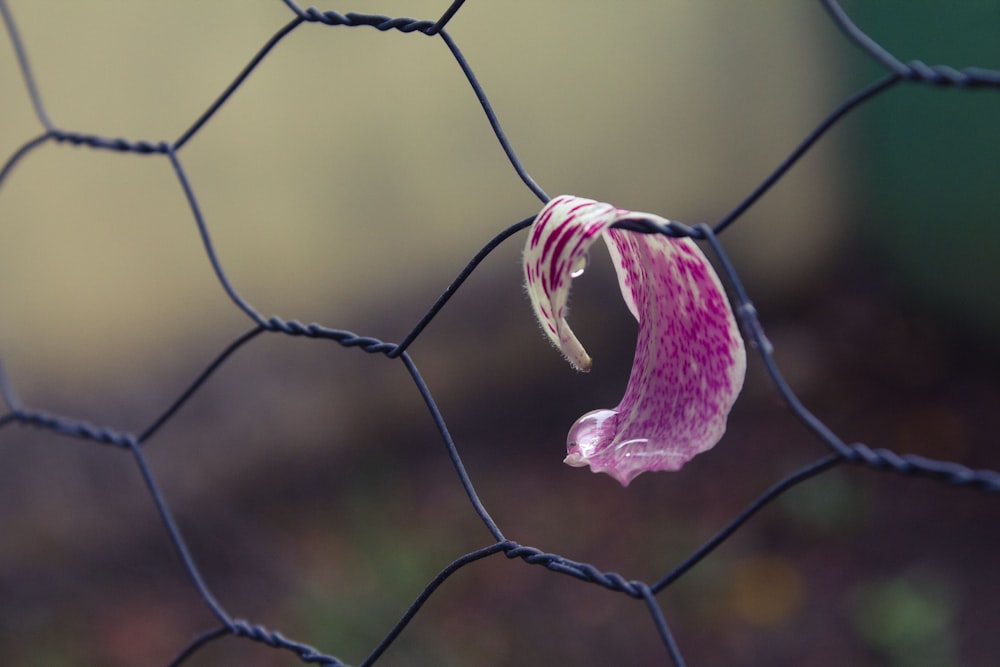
[841, 452]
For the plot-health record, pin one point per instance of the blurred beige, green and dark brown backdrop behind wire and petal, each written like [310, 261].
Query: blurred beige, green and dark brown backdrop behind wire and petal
[347, 182]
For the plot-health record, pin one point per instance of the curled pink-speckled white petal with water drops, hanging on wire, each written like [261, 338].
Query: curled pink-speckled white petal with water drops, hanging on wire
[689, 359]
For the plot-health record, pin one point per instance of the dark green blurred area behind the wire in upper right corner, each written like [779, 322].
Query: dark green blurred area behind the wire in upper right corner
[927, 185]
